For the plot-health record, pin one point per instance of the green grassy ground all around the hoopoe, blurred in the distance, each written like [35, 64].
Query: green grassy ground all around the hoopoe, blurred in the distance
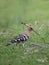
[11, 15]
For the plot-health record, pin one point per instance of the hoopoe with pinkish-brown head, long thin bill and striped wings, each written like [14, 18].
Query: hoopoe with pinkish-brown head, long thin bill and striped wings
[23, 36]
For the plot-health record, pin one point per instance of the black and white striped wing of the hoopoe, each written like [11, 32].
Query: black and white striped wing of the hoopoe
[20, 38]
